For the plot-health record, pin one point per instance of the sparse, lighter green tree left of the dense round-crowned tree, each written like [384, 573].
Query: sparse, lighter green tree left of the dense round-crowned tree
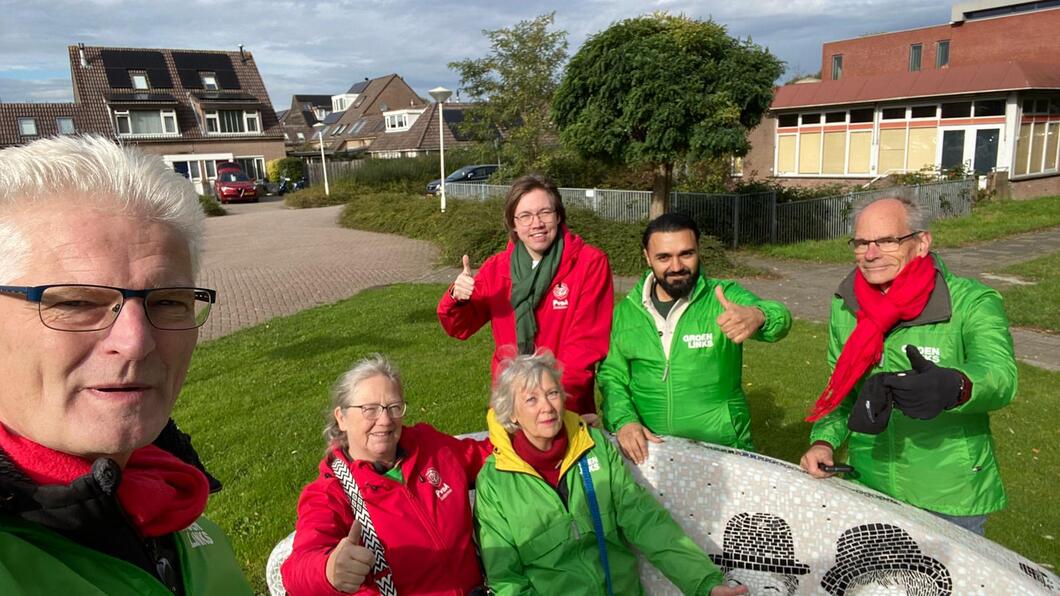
[515, 85]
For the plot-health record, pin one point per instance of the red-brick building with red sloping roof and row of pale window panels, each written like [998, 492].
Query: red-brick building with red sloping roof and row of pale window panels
[981, 92]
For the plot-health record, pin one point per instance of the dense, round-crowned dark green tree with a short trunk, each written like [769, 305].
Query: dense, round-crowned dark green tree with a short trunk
[655, 90]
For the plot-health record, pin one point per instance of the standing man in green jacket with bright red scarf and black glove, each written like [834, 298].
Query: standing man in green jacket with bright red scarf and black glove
[922, 358]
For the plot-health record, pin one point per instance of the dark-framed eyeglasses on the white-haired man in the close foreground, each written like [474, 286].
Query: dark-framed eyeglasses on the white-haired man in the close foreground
[95, 308]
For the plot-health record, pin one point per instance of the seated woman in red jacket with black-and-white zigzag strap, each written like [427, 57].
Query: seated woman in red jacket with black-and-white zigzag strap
[390, 513]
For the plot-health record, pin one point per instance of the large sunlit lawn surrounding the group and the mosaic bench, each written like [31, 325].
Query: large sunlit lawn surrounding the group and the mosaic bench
[255, 404]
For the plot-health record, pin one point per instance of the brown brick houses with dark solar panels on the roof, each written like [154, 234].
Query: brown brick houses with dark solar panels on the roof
[193, 109]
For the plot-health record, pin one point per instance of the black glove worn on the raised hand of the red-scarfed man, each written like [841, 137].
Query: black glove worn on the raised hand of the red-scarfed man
[926, 391]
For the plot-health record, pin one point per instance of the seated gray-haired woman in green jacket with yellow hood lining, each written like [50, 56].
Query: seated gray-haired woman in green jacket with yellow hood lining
[556, 509]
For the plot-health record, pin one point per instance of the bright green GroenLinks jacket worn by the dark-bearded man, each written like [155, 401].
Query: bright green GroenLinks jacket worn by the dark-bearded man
[682, 377]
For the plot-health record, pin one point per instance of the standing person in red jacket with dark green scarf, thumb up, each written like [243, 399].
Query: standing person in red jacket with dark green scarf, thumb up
[547, 290]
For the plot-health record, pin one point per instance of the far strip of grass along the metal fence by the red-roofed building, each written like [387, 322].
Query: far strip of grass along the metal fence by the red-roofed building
[990, 221]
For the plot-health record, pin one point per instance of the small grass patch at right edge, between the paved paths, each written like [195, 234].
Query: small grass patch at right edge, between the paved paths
[1035, 306]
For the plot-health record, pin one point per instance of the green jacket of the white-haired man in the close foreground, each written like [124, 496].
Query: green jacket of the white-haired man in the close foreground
[37, 560]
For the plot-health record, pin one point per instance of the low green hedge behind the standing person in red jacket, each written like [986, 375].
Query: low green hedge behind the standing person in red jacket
[476, 230]
